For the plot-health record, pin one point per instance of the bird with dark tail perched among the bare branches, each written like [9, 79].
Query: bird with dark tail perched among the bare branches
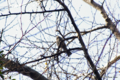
[60, 42]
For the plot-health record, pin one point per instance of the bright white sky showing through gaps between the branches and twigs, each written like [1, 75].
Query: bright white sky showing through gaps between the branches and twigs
[17, 25]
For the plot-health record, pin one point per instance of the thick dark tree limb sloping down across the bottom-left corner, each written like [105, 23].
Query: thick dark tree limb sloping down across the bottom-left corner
[25, 70]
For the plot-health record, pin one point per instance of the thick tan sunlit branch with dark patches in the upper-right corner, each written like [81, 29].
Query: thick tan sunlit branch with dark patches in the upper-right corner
[109, 22]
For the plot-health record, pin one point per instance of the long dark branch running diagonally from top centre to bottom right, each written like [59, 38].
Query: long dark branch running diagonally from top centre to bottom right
[81, 41]
